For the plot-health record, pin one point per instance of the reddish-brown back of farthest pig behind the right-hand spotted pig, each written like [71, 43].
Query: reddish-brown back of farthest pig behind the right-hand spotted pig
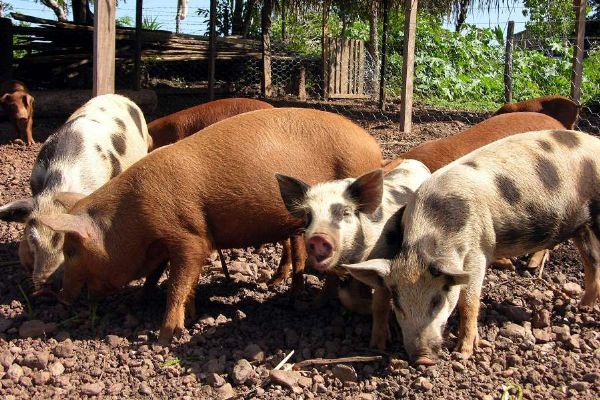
[560, 108]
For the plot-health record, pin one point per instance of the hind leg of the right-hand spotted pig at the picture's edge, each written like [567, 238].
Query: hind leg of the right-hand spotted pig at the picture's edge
[589, 247]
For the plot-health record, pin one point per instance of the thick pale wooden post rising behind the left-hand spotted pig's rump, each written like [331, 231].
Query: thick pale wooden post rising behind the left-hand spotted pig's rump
[104, 47]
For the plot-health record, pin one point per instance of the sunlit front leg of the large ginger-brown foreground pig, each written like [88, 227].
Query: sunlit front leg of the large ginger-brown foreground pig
[186, 266]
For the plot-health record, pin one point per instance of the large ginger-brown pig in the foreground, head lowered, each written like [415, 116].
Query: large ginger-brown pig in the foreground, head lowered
[208, 191]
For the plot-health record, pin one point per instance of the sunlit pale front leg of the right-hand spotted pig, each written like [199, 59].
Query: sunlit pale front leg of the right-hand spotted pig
[468, 305]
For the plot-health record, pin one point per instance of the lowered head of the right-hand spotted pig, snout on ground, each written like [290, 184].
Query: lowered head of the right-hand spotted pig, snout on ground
[424, 294]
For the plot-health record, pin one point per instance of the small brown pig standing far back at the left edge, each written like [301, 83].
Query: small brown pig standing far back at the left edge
[17, 103]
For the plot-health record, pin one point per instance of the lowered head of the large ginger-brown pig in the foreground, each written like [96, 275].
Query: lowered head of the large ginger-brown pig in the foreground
[85, 261]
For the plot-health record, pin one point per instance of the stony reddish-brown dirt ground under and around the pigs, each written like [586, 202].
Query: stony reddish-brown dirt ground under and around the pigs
[534, 337]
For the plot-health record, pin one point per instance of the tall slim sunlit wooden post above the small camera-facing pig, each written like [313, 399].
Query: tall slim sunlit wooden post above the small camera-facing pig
[408, 66]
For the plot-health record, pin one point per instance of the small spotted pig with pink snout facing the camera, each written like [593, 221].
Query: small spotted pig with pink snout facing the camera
[353, 220]
